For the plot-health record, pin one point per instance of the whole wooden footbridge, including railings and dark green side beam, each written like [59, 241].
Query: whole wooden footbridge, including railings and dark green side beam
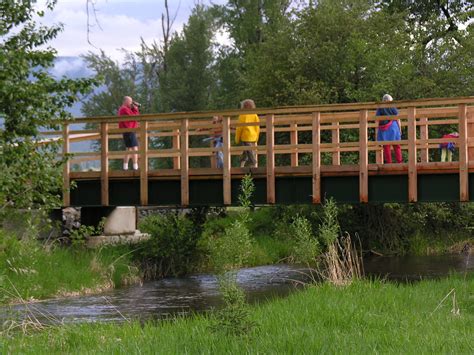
[306, 154]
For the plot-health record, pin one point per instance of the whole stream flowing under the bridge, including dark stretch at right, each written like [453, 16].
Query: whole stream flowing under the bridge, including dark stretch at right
[171, 296]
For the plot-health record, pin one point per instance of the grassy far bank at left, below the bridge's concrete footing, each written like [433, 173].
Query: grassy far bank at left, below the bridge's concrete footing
[28, 271]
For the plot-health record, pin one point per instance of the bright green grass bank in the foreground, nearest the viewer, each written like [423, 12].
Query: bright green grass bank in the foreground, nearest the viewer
[363, 317]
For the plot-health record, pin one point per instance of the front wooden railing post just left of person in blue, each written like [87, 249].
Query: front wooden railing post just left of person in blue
[363, 158]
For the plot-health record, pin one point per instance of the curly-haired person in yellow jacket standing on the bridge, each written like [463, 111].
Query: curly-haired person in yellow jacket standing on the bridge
[248, 135]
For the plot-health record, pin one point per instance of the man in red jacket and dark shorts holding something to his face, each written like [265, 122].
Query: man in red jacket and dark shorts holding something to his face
[129, 108]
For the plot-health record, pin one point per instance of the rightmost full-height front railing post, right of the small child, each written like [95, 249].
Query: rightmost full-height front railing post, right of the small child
[463, 155]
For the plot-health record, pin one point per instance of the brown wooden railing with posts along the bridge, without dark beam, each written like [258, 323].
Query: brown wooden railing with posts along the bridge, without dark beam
[307, 140]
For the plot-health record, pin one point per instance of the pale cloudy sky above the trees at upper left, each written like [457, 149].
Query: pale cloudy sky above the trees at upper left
[122, 24]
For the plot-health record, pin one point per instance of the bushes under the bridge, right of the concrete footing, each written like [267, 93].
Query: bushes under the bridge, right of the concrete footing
[296, 234]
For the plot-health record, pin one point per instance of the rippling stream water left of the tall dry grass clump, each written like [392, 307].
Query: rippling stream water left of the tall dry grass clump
[158, 299]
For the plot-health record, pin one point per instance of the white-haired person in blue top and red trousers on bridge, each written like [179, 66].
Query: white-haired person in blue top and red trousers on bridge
[389, 129]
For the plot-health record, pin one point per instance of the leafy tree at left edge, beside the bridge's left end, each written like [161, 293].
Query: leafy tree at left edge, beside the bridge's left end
[30, 100]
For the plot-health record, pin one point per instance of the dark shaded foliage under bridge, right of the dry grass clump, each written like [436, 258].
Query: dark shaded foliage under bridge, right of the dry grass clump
[416, 228]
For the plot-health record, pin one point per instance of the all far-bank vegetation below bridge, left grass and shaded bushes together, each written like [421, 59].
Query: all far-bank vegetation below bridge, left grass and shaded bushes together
[182, 244]
